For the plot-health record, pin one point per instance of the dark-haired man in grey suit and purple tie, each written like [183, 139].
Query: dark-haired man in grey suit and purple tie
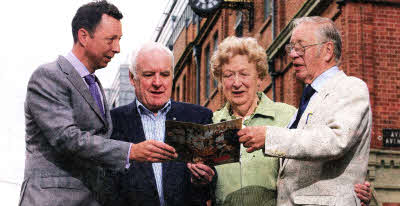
[68, 124]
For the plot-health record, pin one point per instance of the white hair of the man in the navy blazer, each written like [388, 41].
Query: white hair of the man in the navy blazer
[146, 47]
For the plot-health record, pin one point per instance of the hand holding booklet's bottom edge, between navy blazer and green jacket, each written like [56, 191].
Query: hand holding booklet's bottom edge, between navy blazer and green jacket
[201, 174]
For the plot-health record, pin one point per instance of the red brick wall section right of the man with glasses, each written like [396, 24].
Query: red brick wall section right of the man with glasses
[371, 52]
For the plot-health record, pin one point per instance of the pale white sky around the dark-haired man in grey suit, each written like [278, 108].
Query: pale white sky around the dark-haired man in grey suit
[34, 33]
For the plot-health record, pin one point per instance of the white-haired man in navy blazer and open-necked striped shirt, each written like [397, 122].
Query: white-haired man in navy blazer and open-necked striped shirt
[169, 183]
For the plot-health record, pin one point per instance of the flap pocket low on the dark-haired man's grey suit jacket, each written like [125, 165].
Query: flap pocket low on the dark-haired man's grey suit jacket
[61, 182]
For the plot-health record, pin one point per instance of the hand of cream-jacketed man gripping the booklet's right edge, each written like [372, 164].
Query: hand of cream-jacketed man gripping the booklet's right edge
[252, 138]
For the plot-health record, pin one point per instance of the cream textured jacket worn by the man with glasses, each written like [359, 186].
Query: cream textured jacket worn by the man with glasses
[328, 152]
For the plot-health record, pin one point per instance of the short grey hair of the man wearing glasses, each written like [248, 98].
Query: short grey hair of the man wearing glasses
[328, 32]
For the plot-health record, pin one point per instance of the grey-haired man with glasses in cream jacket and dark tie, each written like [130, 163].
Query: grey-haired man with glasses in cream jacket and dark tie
[325, 151]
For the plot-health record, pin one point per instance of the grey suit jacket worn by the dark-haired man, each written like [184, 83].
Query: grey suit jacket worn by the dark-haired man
[67, 139]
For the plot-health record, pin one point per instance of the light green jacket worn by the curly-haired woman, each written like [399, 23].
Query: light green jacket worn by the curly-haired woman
[253, 180]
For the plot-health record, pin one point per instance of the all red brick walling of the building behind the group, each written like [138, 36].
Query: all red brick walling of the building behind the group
[371, 51]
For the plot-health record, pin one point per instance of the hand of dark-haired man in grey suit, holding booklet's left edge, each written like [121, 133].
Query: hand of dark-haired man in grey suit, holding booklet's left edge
[152, 151]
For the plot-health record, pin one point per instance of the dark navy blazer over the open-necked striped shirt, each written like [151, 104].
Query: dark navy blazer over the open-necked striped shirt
[138, 186]
